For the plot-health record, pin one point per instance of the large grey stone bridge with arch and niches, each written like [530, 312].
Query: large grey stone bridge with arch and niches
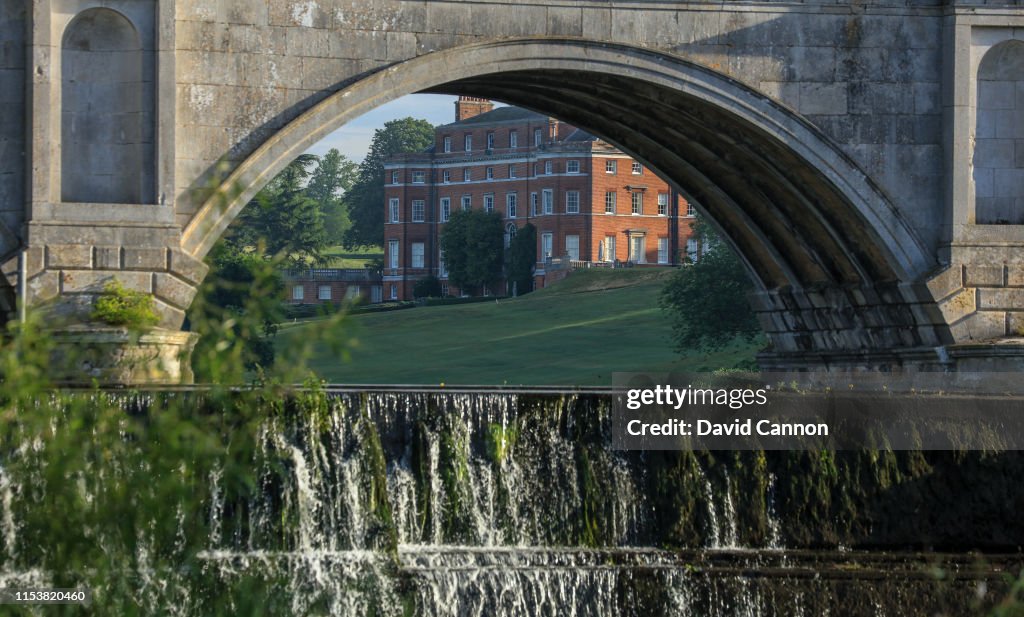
[867, 160]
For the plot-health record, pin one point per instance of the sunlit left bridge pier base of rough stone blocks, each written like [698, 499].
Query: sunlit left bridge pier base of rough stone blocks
[66, 268]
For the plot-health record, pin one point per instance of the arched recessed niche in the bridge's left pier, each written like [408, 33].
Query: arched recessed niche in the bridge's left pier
[107, 150]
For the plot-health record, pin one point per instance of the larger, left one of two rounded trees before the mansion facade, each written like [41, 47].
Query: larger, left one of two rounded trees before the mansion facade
[473, 242]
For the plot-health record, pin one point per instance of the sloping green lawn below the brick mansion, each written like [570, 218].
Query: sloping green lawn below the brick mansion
[575, 333]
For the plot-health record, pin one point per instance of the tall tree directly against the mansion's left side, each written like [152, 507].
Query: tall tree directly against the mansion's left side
[366, 199]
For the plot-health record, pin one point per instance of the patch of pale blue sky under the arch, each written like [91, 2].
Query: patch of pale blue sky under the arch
[353, 141]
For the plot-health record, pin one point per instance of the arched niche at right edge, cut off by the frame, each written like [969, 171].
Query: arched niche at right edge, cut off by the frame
[999, 149]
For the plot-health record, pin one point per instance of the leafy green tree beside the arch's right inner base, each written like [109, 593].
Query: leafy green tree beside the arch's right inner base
[707, 301]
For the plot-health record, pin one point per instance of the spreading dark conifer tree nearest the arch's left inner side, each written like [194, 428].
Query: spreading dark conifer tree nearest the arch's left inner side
[283, 219]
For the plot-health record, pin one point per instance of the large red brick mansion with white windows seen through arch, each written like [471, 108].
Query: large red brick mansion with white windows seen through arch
[592, 205]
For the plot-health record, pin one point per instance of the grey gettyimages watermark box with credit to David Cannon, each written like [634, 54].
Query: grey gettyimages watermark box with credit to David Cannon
[786, 412]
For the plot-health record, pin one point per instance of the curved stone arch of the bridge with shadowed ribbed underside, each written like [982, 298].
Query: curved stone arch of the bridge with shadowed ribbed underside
[837, 263]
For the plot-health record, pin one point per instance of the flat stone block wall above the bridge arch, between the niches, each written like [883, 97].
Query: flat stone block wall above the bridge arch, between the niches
[870, 81]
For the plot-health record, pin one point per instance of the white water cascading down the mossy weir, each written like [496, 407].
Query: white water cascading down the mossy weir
[471, 504]
